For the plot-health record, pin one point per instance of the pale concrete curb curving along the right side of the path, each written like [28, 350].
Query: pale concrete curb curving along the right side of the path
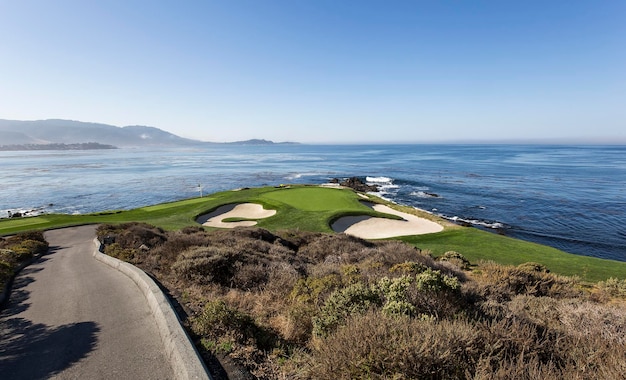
[185, 359]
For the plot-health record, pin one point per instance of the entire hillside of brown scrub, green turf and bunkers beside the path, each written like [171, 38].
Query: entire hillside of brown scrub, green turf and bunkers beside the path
[280, 282]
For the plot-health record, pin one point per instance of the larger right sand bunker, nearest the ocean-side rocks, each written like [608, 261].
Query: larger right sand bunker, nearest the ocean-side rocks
[367, 227]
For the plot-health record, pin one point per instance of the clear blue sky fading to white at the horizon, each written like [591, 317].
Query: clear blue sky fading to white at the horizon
[321, 70]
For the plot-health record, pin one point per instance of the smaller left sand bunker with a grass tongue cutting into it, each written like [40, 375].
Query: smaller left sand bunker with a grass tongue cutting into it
[241, 210]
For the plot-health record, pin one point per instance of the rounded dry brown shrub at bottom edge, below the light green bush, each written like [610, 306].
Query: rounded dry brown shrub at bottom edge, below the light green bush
[377, 346]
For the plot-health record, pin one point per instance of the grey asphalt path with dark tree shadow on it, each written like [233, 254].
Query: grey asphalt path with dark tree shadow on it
[72, 317]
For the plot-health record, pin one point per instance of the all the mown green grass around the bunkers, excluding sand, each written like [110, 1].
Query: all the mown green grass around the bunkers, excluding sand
[312, 208]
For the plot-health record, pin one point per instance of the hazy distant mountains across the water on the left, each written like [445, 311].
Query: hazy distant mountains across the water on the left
[59, 133]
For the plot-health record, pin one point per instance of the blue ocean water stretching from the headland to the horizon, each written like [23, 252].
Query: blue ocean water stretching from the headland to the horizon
[569, 197]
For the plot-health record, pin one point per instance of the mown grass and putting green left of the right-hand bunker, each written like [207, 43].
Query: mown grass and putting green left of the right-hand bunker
[305, 207]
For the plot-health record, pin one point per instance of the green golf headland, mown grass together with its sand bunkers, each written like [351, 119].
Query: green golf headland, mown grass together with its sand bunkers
[318, 209]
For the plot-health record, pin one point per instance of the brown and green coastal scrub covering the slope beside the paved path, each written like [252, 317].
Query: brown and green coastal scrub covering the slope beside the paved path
[294, 304]
